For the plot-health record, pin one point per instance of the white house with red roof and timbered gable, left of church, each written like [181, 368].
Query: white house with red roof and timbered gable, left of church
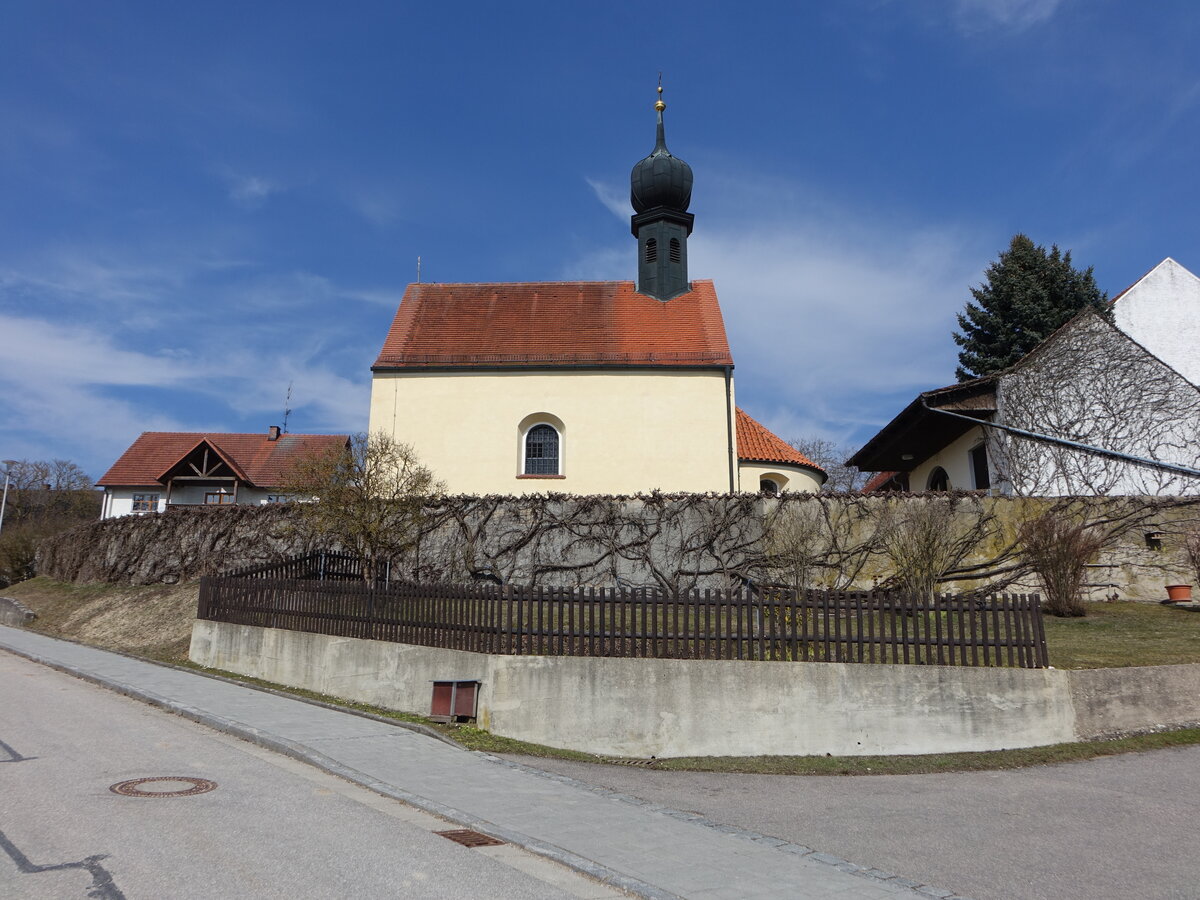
[167, 469]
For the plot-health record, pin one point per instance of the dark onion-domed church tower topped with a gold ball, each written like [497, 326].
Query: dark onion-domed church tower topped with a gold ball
[661, 190]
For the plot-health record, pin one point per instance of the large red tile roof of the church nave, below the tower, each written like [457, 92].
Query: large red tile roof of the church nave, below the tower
[604, 323]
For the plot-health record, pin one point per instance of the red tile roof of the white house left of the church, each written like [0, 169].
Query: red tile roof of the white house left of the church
[265, 463]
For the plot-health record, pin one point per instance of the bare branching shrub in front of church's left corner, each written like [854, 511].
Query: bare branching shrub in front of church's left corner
[369, 497]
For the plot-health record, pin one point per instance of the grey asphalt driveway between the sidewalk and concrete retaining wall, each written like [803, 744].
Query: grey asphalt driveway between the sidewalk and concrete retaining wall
[1105, 830]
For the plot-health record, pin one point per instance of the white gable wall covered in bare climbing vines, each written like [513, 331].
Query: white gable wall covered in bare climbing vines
[1093, 385]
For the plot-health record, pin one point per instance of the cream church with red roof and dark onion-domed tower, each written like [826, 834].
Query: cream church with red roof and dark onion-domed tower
[585, 388]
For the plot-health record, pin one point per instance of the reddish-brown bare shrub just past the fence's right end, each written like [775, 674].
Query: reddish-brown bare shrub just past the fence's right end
[1059, 549]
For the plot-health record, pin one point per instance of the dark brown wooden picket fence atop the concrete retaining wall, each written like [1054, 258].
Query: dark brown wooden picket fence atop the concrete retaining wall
[875, 627]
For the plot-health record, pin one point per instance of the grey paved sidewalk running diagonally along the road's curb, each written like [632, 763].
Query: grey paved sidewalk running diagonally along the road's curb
[649, 850]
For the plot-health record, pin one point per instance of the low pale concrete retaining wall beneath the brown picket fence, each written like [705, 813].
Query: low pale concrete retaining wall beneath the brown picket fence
[645, 707]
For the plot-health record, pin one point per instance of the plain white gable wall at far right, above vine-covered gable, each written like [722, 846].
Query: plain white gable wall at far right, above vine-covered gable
[1162, 313]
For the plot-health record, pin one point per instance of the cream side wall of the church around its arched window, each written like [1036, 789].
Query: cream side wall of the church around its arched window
[622, 431]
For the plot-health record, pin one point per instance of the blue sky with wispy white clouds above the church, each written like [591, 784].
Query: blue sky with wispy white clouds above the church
[203, 203]
